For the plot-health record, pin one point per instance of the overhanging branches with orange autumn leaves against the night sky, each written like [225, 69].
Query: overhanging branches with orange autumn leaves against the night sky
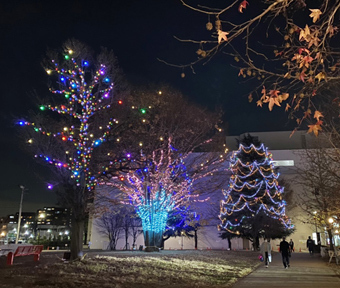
[286, 48]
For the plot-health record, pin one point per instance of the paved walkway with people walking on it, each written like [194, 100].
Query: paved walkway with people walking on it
[304, 271]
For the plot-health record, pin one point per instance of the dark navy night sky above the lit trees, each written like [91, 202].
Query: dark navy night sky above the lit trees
[139, 32]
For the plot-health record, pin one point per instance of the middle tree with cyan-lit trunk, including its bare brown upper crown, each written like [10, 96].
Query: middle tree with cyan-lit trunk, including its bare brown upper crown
[164, 174]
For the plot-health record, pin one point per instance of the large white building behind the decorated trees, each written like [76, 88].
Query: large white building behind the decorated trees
[285, 154]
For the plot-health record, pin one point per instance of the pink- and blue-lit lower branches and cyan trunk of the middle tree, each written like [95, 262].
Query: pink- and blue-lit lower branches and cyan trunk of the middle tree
[163, 185]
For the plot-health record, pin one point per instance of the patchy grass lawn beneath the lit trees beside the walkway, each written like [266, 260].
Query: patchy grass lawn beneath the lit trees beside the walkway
[132, 269]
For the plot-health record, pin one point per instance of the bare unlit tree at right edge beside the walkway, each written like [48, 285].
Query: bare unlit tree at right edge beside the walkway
[319, 178]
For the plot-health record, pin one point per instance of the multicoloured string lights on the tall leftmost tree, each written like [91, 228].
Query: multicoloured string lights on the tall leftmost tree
[81, 99]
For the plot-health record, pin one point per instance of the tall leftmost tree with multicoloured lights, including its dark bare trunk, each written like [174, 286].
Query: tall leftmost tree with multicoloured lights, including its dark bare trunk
[83, 100]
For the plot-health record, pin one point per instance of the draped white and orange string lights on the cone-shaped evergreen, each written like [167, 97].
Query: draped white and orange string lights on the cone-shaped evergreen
[253, 189]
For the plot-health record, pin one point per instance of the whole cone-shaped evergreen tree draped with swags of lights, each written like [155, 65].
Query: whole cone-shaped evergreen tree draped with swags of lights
[253, 206]
